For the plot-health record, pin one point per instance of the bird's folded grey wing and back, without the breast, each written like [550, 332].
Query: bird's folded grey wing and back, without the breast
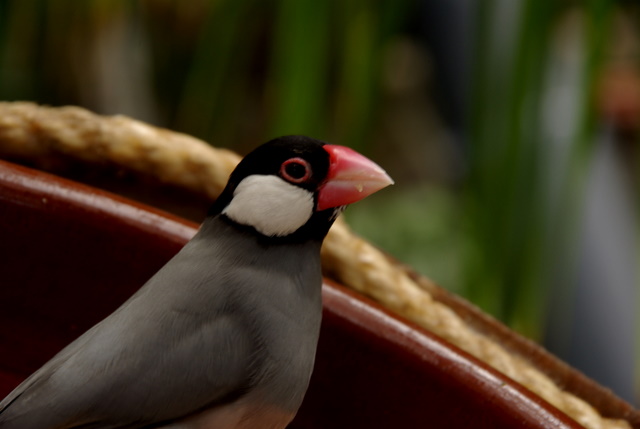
[165, 354]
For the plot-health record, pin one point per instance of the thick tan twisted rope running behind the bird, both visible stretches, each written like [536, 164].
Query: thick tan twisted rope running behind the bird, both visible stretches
[31, 131]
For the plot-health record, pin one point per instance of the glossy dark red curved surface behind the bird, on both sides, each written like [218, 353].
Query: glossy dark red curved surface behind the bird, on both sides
[70, 254]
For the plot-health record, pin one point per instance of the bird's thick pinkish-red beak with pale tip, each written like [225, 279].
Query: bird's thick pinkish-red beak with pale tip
[351, 178]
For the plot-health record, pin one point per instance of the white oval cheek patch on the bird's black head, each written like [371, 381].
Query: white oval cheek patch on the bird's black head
[270, 205]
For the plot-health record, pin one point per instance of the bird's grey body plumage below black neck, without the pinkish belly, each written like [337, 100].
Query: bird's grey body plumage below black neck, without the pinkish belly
[229, 315]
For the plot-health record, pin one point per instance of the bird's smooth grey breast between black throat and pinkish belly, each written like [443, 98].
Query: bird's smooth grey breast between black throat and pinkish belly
[277, 289]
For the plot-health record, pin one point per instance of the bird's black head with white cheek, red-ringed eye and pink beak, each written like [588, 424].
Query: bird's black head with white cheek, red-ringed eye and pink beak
[294, 187]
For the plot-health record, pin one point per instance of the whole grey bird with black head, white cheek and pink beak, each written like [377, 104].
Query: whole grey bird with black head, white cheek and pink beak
[224, 335]
